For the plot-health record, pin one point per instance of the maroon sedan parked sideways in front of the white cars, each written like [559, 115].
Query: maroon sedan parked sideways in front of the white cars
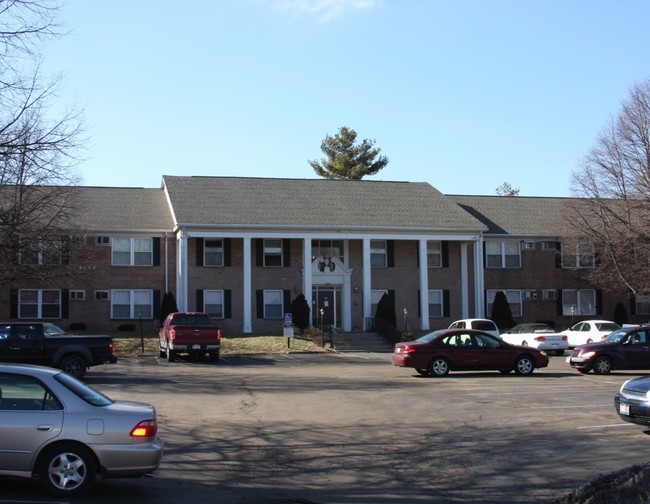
[439, 352]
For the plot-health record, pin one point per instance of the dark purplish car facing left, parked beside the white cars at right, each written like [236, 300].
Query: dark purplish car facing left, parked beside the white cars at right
[625, 348]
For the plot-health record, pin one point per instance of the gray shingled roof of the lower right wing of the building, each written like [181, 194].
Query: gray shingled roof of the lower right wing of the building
[517, 215]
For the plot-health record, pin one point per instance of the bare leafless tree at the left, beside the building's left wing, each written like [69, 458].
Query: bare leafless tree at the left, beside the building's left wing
[37, 152]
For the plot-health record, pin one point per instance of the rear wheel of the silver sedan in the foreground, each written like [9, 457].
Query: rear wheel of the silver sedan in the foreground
[67, 469]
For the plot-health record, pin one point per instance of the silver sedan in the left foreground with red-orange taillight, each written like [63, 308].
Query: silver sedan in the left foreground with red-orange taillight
[68, 434]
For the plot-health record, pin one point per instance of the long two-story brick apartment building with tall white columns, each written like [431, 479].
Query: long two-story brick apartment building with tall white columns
[243, 248]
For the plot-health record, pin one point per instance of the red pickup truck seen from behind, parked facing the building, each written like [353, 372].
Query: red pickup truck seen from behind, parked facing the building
[191, 333]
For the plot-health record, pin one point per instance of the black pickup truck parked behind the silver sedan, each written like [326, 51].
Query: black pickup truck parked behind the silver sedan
[26, 342]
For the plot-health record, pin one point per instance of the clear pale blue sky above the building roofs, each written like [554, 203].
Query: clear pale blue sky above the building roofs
[463, 94]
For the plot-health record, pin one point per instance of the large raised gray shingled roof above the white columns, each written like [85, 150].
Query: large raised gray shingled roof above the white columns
[341, 204]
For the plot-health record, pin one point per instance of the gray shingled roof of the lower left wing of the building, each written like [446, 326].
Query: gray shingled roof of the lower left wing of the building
[121, 208]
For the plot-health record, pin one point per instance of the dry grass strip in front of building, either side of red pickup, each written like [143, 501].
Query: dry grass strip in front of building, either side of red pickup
[126, 345]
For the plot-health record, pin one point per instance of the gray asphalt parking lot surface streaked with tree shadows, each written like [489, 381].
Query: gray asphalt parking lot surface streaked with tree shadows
[351, 428]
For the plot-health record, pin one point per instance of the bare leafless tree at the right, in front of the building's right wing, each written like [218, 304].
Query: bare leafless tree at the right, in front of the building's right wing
[613, 212]
